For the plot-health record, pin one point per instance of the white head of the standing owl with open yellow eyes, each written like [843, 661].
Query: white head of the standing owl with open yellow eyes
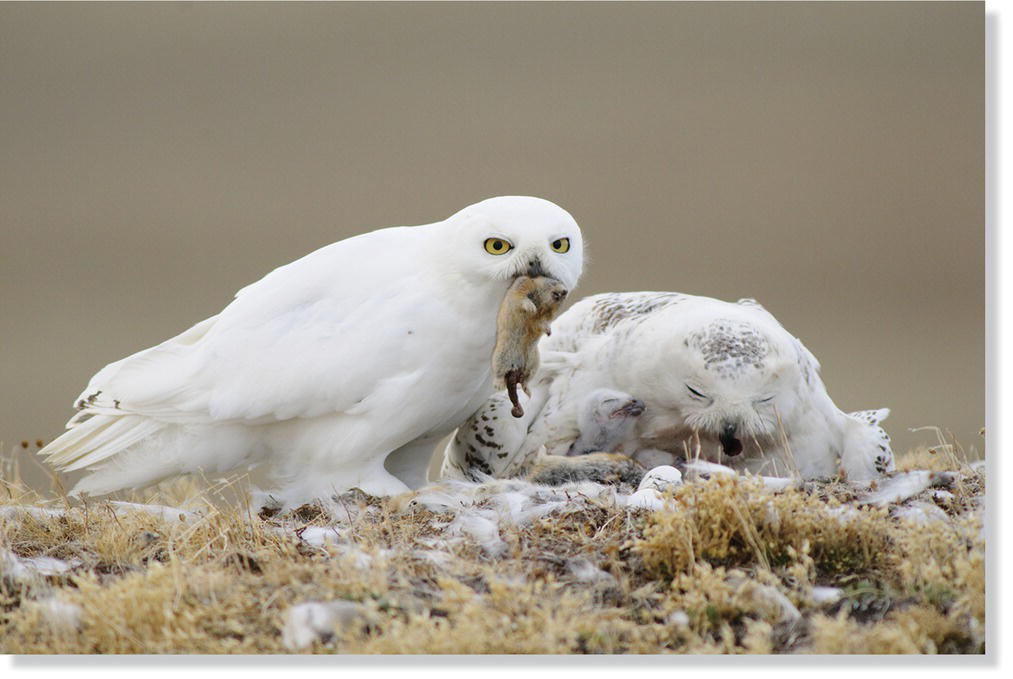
[504, 238]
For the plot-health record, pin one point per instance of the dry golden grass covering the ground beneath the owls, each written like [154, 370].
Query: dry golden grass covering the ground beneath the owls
[729, 568]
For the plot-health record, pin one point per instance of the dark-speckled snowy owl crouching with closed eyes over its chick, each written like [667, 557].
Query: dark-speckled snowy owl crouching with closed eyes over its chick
[723, 382]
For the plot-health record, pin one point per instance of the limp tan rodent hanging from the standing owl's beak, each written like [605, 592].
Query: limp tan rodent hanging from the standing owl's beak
[527, 310]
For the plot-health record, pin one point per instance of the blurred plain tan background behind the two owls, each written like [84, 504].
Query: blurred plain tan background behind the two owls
[827, 160]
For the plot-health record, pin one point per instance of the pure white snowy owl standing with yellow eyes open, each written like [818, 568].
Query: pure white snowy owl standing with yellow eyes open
[340, 370]
